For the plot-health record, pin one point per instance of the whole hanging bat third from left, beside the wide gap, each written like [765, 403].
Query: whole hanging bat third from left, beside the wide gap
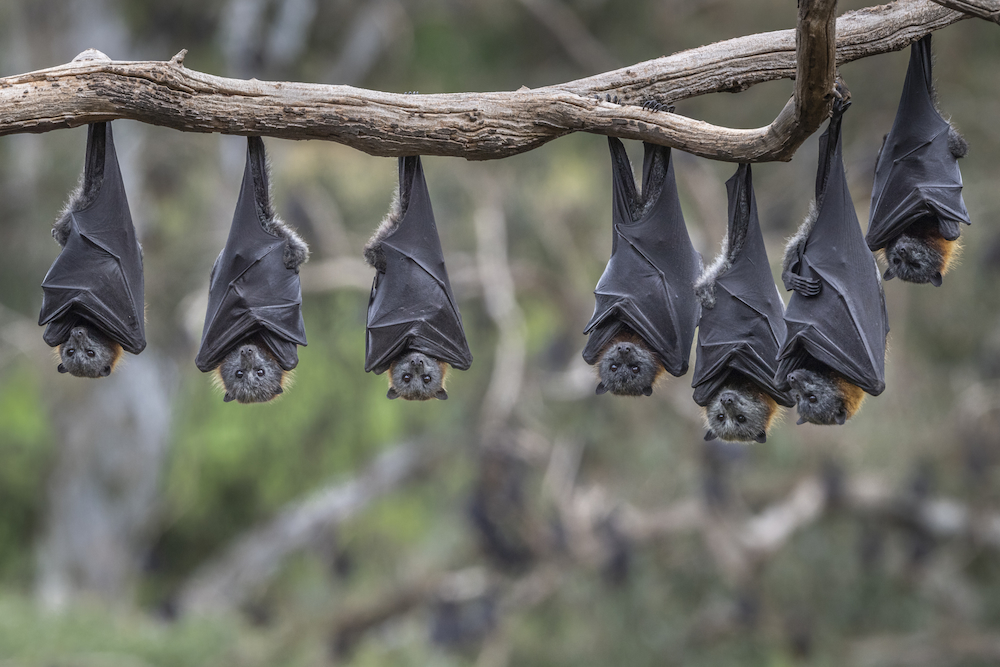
[414, 326]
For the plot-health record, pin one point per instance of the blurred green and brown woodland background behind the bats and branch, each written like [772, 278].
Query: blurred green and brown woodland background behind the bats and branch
[524, 521]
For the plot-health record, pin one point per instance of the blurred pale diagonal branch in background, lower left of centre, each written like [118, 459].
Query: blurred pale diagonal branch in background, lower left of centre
[226, 582]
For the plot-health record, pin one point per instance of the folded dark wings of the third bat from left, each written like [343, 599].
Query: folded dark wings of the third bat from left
[412, 306]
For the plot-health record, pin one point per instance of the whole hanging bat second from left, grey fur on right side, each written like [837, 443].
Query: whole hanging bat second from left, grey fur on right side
[254, 320]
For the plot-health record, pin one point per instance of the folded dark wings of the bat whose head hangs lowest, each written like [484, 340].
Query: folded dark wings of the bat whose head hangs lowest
[745, 329]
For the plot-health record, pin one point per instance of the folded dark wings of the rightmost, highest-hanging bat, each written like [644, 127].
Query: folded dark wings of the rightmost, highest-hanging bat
[916, 175]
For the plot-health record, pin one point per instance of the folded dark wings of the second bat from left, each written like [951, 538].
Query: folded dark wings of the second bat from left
[251, 292]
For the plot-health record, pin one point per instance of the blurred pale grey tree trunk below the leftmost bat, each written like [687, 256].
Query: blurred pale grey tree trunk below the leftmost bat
[113, 436]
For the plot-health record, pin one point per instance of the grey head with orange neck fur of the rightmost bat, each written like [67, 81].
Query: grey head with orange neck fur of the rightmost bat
[919, 255]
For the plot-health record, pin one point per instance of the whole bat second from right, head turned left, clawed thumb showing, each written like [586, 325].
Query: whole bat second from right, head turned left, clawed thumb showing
[836, 319]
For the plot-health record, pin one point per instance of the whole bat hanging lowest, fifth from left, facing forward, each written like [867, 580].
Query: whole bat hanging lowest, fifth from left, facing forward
[741, 328]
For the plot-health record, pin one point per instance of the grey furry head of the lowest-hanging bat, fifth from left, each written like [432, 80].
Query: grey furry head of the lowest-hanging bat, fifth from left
[739, 412]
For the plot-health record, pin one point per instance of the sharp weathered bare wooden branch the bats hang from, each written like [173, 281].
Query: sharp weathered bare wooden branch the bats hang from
[482, 126]
